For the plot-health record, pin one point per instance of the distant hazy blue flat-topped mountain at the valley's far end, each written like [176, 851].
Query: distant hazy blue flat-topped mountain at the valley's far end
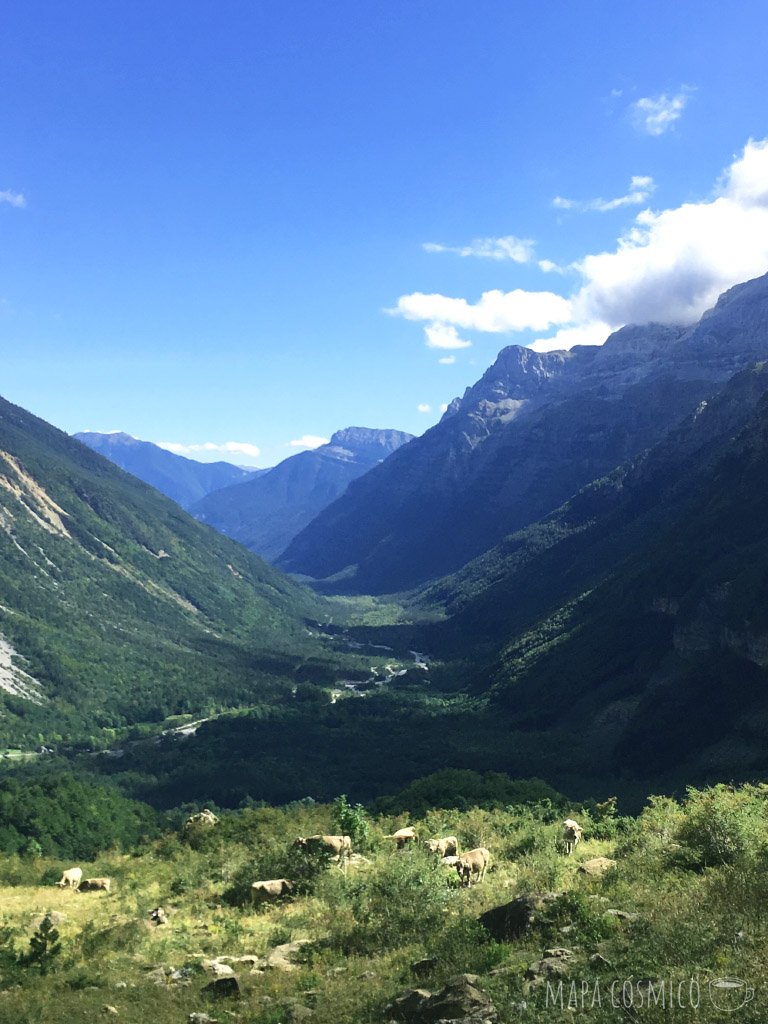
[267, 514]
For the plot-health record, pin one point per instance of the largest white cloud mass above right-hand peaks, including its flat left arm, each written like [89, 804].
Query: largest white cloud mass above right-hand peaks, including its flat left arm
[669, 267]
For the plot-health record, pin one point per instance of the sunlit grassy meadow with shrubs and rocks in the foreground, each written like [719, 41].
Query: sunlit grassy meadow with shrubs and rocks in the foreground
[690, 883]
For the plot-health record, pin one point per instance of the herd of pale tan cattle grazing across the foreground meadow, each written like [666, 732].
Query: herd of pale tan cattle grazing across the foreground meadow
[471, 867]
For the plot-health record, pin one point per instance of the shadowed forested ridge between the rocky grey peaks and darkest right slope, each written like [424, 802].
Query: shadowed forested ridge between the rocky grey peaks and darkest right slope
[540, 568]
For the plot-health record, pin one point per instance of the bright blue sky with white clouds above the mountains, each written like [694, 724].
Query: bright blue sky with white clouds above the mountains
[260, 222]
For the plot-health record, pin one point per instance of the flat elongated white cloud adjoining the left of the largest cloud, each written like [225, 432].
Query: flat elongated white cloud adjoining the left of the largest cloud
[495, 312]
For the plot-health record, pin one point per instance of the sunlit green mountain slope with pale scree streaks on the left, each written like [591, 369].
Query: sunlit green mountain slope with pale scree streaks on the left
[116, 607]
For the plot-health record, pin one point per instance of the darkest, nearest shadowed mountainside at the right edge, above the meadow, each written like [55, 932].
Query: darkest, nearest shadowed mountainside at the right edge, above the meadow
[662, 661]
